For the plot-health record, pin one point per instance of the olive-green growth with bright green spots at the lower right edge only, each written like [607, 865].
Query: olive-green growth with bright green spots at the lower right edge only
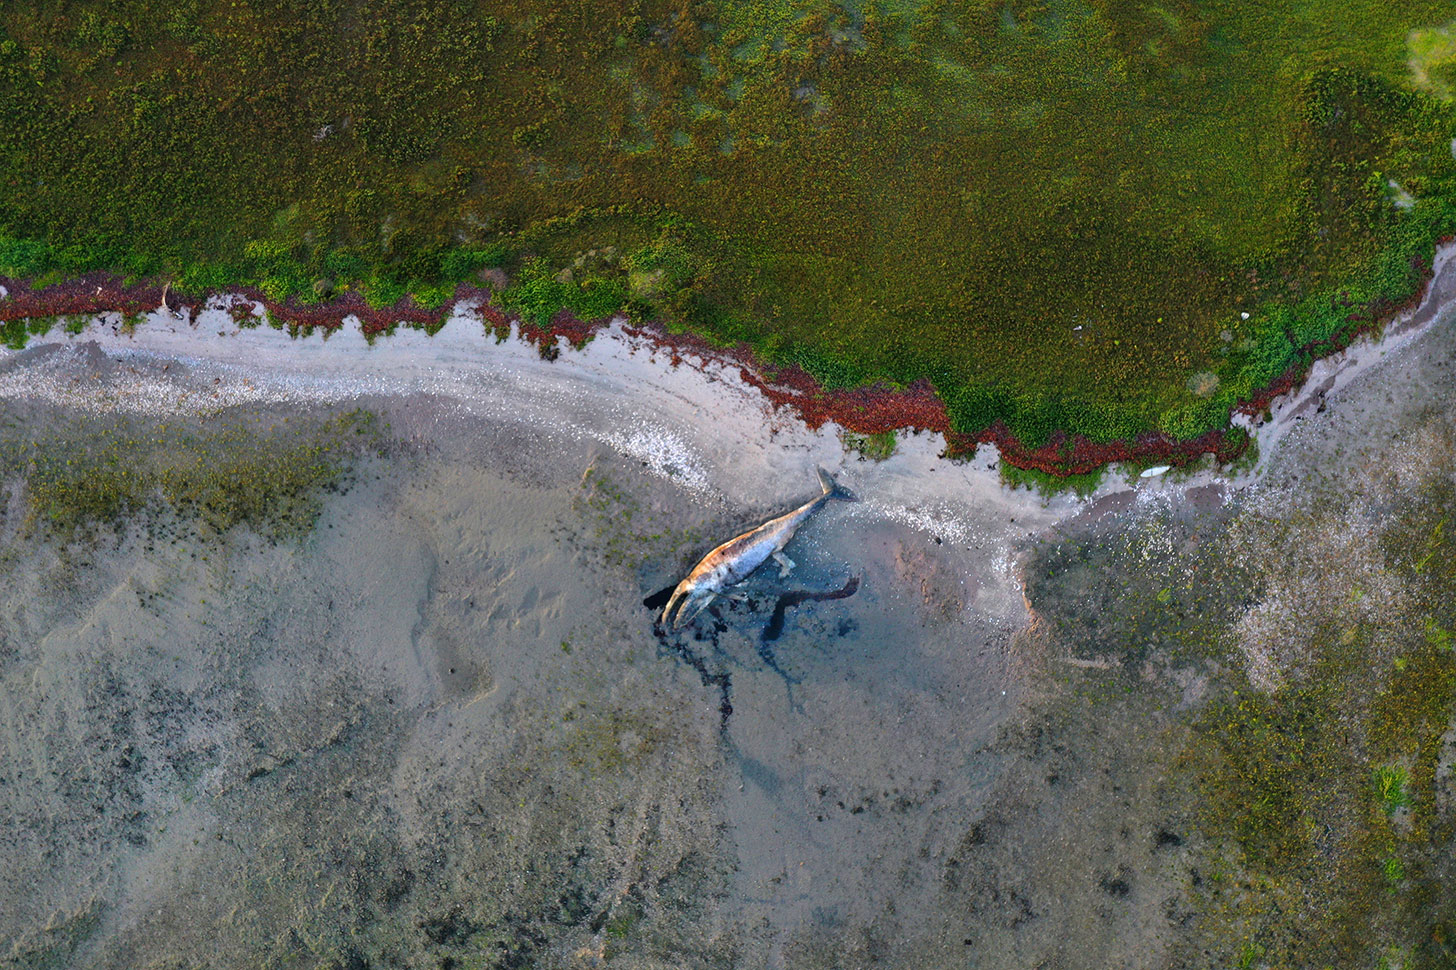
[1323, 796]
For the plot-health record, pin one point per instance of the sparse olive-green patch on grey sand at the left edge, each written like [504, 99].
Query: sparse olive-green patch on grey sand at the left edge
[225, 473]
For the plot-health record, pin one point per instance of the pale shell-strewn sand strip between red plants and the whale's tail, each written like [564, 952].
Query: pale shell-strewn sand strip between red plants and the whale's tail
[704, 430]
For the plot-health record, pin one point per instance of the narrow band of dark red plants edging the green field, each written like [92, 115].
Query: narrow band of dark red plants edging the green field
[869, 410]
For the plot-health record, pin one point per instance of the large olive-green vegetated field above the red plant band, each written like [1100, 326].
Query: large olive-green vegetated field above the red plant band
[1058, 213]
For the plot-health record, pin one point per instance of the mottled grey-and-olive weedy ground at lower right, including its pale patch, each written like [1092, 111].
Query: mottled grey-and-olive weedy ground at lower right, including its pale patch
[1291, 762]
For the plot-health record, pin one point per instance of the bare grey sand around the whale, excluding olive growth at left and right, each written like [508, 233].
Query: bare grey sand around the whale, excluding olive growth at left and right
[440, 729]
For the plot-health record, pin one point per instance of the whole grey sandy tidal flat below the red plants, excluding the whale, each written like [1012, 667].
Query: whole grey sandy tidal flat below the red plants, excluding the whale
[404, 706]
